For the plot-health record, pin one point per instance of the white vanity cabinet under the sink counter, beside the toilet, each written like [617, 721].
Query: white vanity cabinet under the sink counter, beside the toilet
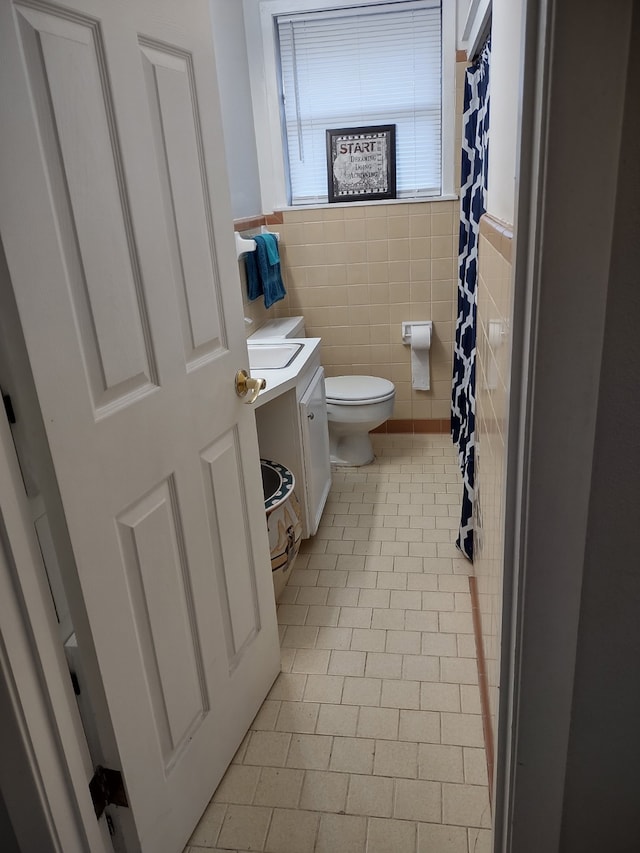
[293, 430]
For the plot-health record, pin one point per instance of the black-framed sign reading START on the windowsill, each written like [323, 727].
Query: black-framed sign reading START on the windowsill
[361, 163]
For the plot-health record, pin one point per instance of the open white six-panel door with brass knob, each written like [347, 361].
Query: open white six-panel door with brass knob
[116, 224]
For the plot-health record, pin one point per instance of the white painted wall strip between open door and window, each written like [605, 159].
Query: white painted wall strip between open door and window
[235, 100]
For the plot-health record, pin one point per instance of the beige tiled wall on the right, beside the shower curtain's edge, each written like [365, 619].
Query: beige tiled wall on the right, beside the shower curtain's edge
[492, 394]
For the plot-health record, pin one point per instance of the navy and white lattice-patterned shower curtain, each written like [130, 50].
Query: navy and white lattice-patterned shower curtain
[473, 196]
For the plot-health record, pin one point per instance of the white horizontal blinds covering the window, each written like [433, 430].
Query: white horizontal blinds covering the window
[379, 65]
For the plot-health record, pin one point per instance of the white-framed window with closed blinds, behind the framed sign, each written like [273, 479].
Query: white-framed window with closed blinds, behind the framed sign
[263, 21]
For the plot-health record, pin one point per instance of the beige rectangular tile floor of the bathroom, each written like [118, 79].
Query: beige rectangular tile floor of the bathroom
[371, 739]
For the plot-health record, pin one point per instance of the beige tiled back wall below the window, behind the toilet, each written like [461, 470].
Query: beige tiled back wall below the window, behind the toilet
[356, 272]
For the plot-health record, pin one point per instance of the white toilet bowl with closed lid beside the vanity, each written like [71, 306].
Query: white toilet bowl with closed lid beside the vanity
[356, 405]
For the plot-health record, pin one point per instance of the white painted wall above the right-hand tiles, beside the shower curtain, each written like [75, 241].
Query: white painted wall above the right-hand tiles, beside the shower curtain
[504, 120]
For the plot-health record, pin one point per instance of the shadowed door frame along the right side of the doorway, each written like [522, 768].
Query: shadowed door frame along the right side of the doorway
[568, 164]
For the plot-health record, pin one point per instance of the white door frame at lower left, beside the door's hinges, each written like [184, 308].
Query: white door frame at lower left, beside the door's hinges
[49, 757]
